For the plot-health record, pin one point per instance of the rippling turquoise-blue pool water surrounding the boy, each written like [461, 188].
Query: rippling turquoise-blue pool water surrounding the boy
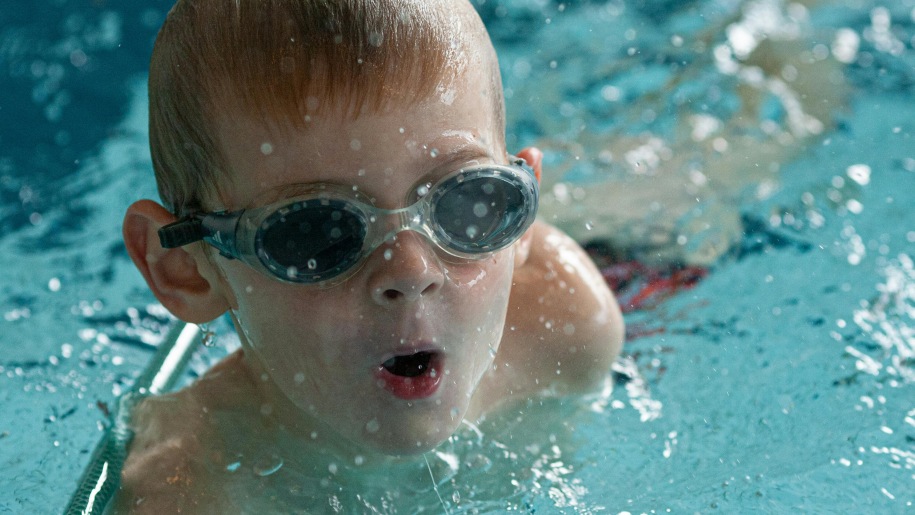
[783, 381]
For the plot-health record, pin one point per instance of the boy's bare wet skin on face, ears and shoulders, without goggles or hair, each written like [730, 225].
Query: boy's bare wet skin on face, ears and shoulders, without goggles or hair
[310, 377]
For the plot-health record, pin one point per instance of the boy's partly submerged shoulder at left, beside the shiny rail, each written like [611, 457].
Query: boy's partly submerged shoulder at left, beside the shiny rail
[175, 446]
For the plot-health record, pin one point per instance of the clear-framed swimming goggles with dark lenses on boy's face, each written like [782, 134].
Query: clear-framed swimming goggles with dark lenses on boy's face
[320, 236]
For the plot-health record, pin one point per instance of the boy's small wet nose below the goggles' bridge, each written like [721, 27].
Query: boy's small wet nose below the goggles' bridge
[406, 270]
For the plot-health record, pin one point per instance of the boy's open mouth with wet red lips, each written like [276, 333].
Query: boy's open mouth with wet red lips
[411, 376]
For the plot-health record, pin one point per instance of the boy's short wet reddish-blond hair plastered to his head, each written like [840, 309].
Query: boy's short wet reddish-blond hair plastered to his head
[284, 60]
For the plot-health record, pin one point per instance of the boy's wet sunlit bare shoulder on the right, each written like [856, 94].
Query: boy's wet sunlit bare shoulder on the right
[564, 327]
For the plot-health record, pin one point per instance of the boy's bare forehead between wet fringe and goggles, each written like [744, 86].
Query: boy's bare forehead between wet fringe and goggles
[383, 154]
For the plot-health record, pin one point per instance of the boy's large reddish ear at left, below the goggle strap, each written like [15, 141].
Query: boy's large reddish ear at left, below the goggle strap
[173, 275]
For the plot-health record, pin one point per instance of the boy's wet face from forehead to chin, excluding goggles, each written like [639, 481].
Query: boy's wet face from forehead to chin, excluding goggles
[324, 348]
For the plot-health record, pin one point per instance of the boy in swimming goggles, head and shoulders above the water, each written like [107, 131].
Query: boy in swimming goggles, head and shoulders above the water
[338, 181]
